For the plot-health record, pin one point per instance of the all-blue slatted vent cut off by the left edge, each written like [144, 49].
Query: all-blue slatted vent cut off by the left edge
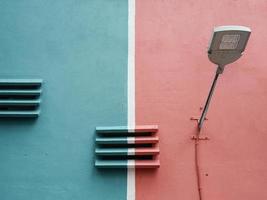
[20, 97]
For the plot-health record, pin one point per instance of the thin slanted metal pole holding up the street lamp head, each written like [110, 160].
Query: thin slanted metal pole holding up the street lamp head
[205, 110]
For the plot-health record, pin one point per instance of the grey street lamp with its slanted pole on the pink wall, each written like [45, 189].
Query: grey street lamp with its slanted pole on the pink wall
[226, 46]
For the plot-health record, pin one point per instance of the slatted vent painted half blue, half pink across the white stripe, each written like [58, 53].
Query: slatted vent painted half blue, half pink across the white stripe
[123, 147]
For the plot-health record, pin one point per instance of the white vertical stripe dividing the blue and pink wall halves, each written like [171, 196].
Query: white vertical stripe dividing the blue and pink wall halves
[131, 92]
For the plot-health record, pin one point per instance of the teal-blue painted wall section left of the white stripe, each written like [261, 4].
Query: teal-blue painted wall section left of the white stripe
[79, 49]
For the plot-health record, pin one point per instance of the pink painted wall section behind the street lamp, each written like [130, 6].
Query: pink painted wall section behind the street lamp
[173, 76]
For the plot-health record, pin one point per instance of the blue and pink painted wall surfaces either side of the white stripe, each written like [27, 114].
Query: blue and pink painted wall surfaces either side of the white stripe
[80, 49]
